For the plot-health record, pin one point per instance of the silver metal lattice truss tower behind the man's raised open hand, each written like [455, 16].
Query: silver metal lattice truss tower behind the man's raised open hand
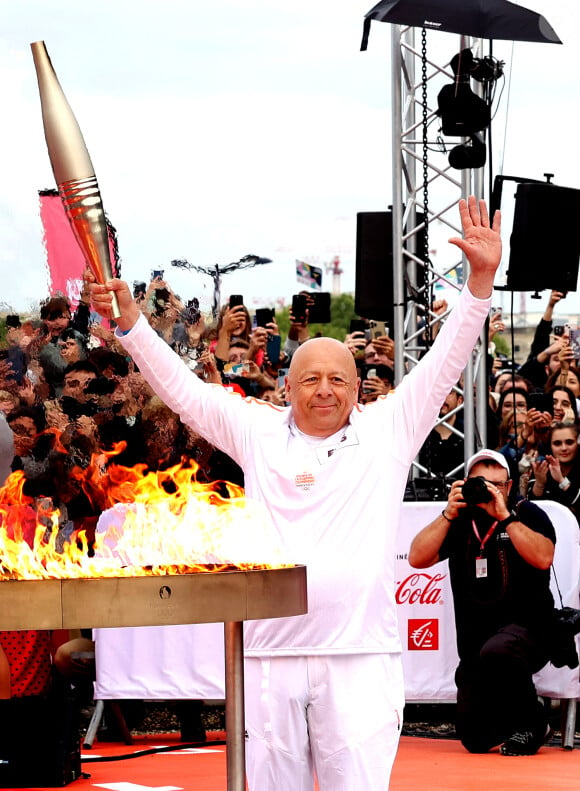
[425, 186]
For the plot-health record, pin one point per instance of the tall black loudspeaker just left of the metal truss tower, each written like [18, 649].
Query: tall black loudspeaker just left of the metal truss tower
[373, 293]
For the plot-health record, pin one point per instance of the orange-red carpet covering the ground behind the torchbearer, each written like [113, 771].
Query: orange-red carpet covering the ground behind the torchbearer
[421, 765]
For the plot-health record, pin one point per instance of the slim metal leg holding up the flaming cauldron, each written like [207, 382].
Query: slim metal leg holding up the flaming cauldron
[235, 720]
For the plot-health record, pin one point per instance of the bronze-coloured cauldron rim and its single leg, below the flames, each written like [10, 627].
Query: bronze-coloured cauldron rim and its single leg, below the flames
[230, 597]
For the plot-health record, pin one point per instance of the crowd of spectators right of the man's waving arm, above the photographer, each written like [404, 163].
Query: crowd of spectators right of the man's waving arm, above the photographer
[532, 416]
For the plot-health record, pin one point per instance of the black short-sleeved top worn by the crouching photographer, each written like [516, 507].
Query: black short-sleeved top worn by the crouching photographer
[512, 592]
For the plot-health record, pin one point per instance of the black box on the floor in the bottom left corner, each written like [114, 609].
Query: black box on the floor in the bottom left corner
[39, 741]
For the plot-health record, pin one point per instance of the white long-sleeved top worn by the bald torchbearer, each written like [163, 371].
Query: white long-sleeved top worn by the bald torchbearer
[335, 503]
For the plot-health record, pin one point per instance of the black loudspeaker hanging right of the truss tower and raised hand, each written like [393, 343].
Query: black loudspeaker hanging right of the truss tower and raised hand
[544, 243]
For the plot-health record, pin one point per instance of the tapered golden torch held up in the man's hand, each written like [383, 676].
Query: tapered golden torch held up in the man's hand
[73, 170]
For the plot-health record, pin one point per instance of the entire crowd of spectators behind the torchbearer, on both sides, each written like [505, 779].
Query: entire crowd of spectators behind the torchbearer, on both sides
[69, 395]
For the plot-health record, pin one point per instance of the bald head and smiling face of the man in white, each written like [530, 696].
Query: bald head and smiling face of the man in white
[322, 386]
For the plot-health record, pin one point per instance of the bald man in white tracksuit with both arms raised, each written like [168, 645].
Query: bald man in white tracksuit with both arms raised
[324, 691]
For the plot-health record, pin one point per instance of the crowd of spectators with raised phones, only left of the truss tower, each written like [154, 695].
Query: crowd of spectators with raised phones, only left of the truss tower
[70, 398]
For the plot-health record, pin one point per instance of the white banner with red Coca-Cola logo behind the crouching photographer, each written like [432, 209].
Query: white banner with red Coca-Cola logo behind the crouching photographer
[426, 616]
